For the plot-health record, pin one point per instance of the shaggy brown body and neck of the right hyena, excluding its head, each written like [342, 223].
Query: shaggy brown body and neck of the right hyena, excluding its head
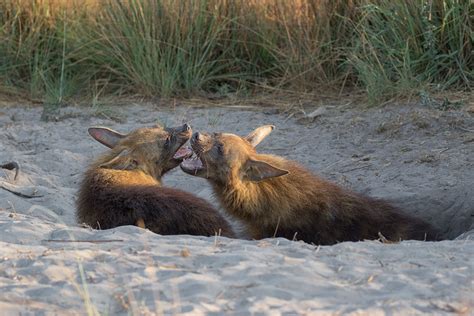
[305, 207]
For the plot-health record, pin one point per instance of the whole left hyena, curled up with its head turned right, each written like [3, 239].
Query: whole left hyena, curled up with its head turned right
[123, 187]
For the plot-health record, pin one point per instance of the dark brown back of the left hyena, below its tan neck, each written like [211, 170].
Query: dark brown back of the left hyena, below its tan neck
[165, 211]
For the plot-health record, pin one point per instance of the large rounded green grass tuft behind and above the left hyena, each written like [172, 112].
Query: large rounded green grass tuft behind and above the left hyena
[157, 48]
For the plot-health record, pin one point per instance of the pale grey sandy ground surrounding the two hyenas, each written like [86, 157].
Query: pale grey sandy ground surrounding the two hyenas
[421, 159]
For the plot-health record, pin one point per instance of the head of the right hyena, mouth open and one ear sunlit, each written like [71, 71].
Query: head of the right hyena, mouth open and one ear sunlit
[223, 157]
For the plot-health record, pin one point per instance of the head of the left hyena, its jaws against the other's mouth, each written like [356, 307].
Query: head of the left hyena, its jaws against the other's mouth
[153, 150]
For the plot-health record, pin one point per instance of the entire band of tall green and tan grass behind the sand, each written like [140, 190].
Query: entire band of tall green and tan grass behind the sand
[59, 51]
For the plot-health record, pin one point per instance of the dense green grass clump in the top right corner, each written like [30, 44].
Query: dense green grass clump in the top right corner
[403, 47]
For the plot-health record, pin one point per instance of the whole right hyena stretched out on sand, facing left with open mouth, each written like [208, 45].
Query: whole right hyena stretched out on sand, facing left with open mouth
[273, 196]
